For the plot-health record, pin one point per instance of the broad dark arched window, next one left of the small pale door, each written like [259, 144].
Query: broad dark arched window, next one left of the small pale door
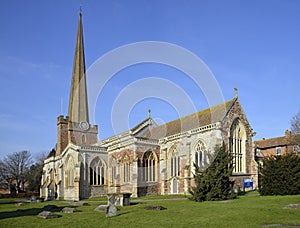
[149, 166]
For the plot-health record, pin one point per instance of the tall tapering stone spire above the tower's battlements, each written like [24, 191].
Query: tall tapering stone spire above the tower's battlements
[78, 104]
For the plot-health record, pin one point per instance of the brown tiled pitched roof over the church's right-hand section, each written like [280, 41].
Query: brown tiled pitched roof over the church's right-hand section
[195, 120]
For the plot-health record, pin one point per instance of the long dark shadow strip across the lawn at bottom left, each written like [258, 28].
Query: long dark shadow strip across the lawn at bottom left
[28, 212]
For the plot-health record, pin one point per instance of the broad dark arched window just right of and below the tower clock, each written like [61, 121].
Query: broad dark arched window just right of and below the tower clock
[97, 172]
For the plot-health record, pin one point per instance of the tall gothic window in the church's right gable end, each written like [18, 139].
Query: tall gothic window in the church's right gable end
[237, 146]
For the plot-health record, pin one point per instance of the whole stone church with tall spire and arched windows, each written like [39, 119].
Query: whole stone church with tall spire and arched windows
[147, 159]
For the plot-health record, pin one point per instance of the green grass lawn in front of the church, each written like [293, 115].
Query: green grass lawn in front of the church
[246, 211]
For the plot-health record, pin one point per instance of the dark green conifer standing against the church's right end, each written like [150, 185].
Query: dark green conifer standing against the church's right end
[214, 182]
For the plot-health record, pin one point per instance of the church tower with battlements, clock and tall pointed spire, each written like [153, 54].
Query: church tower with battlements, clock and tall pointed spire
[76, 128]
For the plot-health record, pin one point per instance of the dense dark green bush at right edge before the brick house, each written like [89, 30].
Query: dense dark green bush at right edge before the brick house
[280, 175]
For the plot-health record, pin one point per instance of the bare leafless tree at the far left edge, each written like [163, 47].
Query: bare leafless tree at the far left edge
[14, 169]
